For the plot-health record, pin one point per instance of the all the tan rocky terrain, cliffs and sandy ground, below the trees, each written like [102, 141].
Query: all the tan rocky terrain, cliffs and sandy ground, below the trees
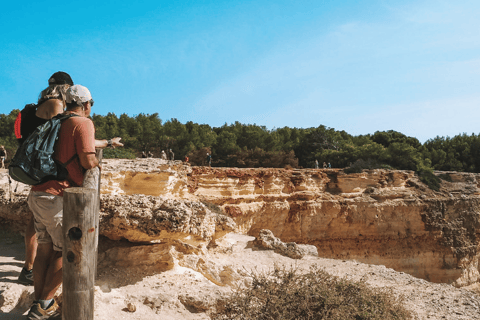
[188, 279]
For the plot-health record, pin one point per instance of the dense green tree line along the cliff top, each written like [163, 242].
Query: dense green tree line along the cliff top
[251, 145]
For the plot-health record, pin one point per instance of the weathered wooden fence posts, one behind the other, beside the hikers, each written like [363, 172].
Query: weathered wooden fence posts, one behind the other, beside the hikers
[80, 234]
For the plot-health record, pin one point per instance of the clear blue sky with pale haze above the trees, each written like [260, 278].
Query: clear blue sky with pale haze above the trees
[358, 66]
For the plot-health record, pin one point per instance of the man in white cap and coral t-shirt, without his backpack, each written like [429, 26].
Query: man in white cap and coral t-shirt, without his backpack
[76, 140]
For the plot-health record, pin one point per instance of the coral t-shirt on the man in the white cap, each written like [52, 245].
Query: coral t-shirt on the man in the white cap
[76, 136]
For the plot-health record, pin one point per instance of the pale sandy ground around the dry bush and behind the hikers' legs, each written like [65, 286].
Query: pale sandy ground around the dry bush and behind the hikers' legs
[182, 293]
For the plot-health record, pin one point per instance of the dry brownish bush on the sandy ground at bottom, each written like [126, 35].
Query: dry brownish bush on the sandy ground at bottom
[286, 294]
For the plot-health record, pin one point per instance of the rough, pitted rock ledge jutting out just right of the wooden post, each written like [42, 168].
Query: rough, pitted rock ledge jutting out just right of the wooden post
[140, 218]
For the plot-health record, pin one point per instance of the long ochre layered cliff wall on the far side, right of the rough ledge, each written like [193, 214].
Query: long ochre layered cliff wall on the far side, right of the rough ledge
[378, 216]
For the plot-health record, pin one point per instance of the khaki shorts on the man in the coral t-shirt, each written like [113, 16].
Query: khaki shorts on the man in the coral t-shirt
[48, 215]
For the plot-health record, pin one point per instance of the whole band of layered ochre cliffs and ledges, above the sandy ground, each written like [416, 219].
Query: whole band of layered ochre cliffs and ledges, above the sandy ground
[378, 216]
